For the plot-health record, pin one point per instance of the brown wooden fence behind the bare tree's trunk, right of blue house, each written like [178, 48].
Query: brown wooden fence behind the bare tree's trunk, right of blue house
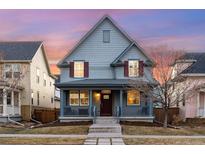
[159, 114]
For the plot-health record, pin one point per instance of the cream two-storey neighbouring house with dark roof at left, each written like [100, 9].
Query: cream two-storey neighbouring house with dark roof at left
[27, 65]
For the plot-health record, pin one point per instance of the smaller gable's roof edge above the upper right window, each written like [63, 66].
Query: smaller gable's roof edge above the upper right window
[127, 49]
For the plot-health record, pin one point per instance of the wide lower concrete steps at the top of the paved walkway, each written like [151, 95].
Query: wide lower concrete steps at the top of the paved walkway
[102, 128]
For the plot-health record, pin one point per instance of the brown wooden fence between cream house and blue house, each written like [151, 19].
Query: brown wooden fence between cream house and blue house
[46, 115]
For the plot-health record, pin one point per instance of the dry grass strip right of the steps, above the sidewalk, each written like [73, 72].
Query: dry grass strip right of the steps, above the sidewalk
[153, 130]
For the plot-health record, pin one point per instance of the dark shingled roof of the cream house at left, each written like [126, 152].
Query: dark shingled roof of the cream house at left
[19, 51]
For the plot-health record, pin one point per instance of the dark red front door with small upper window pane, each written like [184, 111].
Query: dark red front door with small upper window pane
[106, 105]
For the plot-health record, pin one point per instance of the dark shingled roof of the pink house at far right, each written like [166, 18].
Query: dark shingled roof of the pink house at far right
[198, 66]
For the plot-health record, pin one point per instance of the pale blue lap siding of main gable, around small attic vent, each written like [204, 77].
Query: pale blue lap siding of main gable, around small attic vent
[99, 55]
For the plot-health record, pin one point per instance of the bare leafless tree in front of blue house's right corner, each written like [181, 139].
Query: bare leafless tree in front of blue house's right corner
[170, 87]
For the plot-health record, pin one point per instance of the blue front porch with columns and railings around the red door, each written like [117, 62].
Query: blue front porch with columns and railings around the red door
[104, 102]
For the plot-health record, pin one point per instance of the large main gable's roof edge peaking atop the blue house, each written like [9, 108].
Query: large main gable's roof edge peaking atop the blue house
[93, 29]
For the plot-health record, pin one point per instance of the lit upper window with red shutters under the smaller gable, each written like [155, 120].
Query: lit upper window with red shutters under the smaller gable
[133, 68]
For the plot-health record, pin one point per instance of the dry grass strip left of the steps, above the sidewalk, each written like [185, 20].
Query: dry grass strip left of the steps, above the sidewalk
[74, 129]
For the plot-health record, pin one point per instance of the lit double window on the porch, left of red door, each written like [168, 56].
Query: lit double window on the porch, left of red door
[79, 98]
